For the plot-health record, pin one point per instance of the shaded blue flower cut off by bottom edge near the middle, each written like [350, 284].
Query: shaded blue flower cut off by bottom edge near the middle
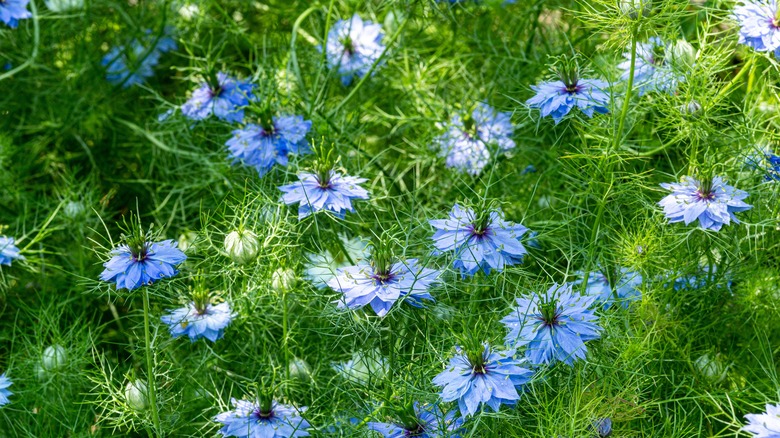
[427, 421]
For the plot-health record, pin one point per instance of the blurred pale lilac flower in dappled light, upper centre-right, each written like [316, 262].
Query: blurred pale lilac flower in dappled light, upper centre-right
[466, 141]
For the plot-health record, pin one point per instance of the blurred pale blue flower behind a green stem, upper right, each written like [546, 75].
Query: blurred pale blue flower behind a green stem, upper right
[653, 70]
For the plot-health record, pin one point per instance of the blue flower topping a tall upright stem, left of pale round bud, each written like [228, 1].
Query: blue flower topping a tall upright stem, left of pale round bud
[132, 268]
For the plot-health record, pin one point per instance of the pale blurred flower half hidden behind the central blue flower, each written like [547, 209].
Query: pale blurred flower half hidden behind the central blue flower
[322, 267]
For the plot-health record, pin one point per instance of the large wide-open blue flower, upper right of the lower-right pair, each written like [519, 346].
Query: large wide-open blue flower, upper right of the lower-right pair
[552, 326]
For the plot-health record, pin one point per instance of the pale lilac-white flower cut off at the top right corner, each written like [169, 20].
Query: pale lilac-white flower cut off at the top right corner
[759, 25]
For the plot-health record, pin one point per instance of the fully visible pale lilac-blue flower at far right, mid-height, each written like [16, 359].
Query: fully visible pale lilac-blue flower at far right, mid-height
[712, 202]
